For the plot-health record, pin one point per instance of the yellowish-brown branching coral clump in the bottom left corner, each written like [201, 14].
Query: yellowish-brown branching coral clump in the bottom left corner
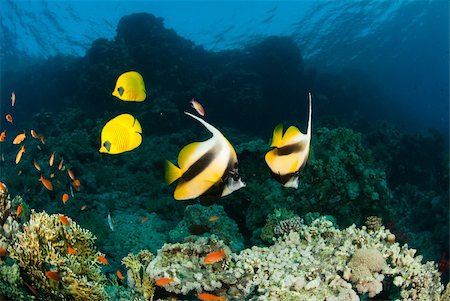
[43, 247]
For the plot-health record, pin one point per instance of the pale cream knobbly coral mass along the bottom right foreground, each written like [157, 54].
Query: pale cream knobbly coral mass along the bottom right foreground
[319, 262]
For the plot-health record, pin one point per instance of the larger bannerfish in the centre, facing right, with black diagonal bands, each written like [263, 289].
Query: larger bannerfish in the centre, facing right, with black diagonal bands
[209, 167]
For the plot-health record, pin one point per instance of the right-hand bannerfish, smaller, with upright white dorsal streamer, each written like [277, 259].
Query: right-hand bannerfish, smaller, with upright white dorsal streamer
[289, 152]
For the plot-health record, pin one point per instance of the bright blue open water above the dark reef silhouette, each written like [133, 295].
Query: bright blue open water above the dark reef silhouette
[401, 45]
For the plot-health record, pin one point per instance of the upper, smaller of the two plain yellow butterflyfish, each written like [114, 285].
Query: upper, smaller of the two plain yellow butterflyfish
[130, 87]
